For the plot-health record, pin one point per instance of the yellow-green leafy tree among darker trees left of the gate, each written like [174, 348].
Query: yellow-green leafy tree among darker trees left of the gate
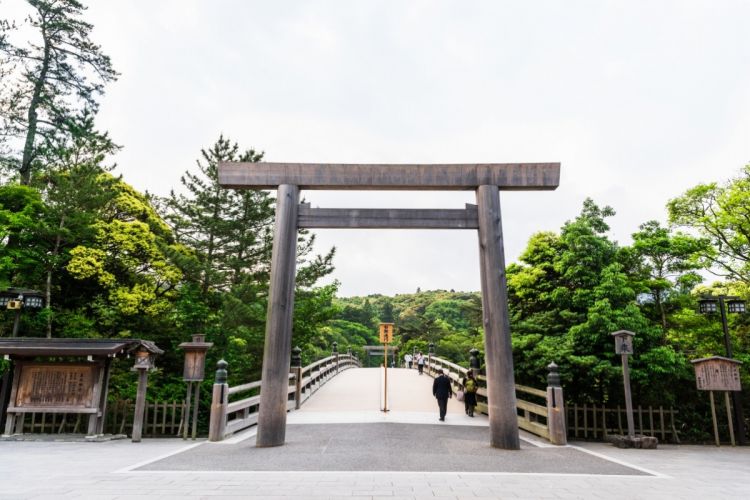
[129, 265]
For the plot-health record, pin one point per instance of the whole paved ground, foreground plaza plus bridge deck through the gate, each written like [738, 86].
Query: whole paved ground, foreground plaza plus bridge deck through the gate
[354, 451]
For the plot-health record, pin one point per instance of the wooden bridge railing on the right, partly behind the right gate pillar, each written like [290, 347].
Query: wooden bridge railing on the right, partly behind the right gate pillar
[540, 412]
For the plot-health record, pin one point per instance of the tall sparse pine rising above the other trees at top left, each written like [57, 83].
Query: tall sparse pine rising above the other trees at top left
[48, 84]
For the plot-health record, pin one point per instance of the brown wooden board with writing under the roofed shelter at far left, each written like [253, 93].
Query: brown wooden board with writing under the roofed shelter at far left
[55, 387]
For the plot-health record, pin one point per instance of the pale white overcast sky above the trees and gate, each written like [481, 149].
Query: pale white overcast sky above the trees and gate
[638, 100]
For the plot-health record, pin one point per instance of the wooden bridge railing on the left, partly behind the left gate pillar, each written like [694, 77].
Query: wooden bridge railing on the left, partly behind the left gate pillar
[228, 417]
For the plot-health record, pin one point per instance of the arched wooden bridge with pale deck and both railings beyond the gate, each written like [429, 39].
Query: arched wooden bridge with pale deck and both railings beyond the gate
[345, 392]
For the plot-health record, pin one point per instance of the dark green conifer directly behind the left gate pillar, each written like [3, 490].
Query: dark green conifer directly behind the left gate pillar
[230, 235]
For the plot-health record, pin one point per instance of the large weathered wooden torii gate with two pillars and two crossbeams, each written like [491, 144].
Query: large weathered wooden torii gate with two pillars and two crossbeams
[485, 179]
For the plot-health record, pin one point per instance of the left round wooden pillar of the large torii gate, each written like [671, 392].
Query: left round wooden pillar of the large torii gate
[277, 348]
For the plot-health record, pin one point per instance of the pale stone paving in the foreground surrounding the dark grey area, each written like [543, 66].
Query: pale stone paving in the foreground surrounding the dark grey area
[33, 470]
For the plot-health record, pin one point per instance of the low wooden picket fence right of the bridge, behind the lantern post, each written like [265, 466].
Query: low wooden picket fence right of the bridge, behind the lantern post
[597, 422]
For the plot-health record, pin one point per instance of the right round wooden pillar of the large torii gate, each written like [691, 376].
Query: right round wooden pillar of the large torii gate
[501, 393]
